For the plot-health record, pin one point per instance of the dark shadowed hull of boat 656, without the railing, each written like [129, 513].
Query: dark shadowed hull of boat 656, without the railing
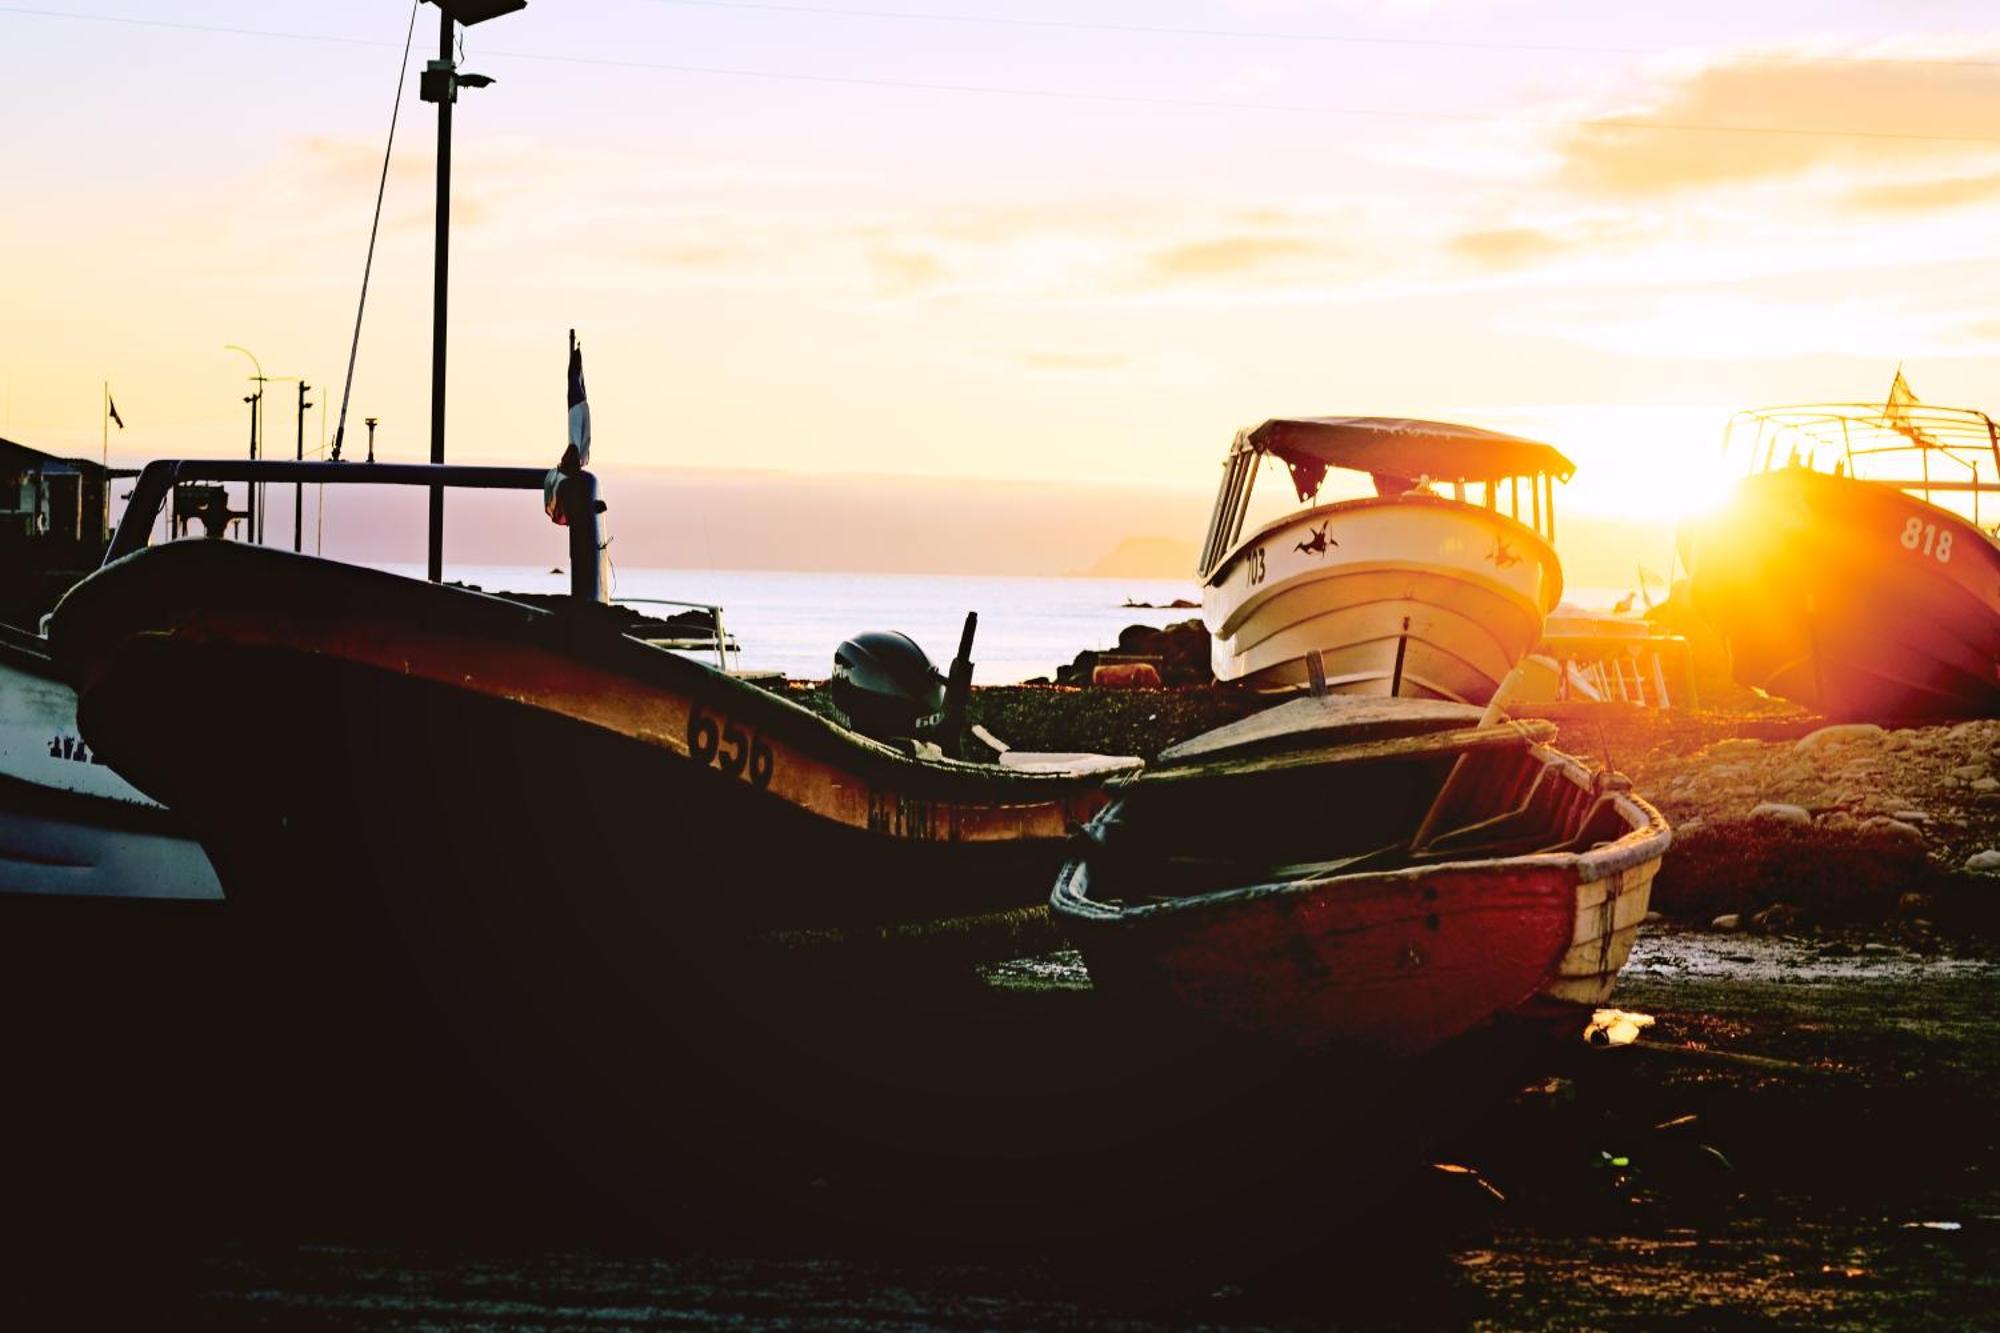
[503, 834]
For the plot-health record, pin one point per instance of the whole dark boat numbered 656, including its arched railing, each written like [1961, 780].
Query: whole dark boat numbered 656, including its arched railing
[447, 748]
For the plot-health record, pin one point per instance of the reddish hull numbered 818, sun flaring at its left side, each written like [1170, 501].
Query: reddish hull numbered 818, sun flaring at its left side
[1825, 601]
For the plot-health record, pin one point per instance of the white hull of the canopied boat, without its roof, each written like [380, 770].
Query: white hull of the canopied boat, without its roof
[1415, 595]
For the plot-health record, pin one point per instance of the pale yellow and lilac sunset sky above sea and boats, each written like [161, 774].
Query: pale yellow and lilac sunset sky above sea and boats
[1045, 243]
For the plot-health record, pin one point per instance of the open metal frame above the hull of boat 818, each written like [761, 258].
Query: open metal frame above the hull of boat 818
[1947, 457]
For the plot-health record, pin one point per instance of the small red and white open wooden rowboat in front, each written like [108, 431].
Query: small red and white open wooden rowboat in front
[1375, 878]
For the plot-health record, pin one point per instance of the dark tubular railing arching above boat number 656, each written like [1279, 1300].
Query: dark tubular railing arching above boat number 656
[159, 481]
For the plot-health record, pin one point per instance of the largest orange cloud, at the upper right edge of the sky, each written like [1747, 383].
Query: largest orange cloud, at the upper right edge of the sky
[1831, 113]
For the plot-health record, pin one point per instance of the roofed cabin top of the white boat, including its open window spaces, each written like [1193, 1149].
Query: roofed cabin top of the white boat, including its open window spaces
[1331, 459]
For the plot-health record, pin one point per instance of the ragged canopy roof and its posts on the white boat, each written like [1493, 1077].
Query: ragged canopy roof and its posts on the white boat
[1399, 453]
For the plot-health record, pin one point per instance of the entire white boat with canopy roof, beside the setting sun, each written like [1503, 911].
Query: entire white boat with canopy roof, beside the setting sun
[1433, 585]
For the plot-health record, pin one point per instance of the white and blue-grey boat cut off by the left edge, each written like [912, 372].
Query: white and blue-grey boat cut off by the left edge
[69, 824]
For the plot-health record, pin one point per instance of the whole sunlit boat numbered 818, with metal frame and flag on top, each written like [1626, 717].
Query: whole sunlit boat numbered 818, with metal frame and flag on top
[1853, 569]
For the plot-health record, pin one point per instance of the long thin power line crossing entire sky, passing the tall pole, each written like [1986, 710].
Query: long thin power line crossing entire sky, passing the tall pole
[1115, 99]
